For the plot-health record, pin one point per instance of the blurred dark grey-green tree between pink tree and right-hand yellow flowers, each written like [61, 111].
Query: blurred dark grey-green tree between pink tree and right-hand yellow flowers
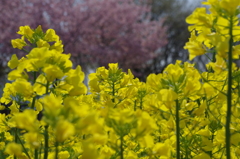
[174, 13]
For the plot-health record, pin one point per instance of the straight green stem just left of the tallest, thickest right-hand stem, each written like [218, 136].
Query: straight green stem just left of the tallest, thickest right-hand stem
[177, 131]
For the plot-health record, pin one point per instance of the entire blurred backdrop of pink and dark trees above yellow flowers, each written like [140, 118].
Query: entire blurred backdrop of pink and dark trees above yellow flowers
[143, 35]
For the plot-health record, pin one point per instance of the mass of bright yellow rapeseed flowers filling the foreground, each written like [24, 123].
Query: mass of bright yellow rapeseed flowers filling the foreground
[180, 113]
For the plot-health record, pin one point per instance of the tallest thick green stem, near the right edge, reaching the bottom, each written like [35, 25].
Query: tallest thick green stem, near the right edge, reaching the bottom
[229, 93]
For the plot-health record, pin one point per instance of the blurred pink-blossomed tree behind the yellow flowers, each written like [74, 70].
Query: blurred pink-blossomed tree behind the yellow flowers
[96, 32]
